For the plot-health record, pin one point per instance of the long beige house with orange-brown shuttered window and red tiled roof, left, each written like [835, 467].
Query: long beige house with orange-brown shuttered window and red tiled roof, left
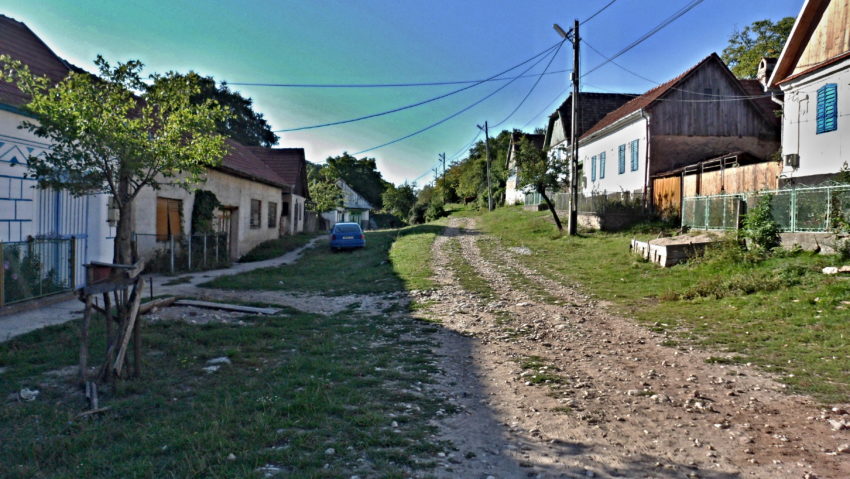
[250, 194]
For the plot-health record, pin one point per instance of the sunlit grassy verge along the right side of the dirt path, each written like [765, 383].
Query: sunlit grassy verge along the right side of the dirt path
[779, 313]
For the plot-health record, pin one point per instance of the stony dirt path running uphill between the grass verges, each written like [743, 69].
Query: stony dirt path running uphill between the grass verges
[617, 403]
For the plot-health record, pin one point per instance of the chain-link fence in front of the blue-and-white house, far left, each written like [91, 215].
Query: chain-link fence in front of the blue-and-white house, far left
[36, 268]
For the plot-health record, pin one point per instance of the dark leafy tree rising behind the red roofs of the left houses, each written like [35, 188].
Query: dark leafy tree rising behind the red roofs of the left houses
[243, 124]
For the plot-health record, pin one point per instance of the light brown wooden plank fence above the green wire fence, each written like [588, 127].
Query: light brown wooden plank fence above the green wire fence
[741, 179]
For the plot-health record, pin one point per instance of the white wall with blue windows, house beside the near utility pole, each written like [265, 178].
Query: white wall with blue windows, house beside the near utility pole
[610, 144]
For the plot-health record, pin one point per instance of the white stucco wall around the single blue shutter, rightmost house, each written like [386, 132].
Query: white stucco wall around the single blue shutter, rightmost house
[819, 153]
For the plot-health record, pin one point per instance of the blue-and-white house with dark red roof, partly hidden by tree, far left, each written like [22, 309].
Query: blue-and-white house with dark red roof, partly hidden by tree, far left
[29, 213]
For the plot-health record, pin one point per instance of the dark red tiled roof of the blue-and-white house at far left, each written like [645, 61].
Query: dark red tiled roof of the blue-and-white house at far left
[19, 42]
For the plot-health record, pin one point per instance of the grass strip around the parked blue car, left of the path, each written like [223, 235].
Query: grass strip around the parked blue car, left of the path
[362, 271]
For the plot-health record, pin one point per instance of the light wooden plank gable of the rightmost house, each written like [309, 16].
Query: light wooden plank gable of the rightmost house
[830, 38]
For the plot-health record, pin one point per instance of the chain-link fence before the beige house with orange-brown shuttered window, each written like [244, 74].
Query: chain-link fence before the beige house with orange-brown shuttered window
[182, 253]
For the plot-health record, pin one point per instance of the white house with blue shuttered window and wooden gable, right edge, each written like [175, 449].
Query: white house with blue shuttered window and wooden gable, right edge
[813, 72]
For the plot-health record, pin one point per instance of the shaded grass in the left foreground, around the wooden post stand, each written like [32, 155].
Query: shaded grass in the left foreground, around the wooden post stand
[299, 384]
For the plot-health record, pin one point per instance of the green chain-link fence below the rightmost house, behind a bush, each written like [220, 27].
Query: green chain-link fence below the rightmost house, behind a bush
[810, 209]
